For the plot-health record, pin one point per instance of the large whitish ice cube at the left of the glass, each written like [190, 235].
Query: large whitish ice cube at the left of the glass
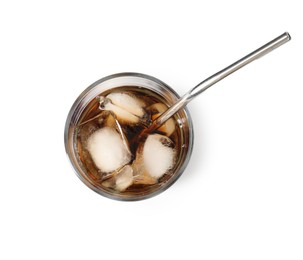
[108, 149]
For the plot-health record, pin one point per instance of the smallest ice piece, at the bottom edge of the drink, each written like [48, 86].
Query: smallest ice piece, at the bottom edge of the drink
[121, 180]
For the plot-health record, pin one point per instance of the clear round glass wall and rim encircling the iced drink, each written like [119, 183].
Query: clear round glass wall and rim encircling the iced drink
[139, 82]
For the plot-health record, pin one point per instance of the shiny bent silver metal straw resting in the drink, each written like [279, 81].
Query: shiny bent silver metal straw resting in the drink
[201, 87]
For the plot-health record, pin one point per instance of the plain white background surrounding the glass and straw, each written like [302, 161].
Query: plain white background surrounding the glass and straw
[241, 196]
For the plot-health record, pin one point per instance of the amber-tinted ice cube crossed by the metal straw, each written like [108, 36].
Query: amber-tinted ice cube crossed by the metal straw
[156, 110]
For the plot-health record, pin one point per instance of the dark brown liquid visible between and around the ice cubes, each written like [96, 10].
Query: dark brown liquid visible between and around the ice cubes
[92, 119]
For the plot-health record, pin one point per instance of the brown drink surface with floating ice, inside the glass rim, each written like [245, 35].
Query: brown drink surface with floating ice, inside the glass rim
[111, 149]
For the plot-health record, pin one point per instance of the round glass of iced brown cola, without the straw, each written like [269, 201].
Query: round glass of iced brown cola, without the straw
[107, 143]
